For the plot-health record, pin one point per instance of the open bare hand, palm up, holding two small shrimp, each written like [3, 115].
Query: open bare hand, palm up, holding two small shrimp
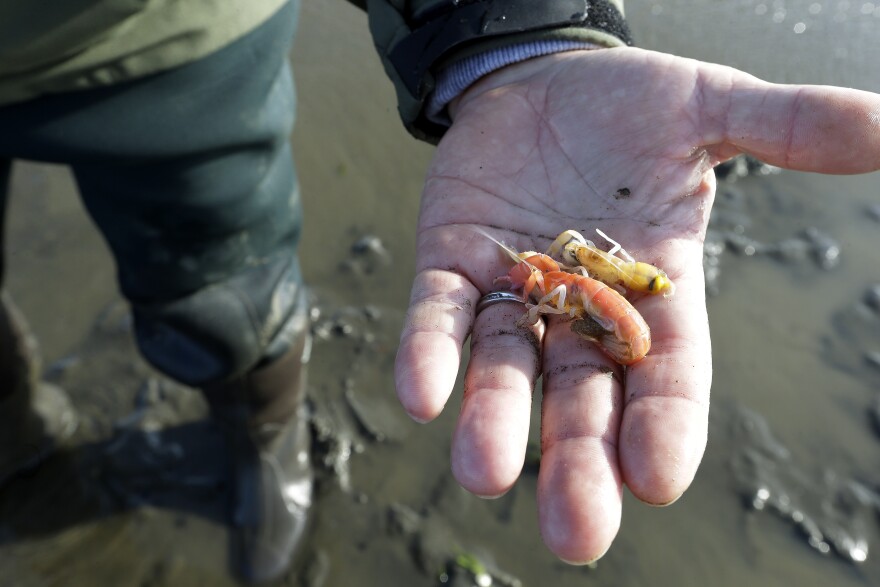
[620, 140]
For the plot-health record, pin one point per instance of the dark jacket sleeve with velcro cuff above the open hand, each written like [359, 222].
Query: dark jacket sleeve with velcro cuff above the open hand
[416, 38]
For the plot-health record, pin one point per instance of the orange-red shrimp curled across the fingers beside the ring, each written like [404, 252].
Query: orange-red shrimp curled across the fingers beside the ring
[599, 313]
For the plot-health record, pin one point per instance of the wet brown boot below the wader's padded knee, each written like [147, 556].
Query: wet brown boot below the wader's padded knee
[266, 425]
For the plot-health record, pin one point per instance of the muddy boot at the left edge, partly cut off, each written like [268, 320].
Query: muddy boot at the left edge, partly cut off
[35, 416]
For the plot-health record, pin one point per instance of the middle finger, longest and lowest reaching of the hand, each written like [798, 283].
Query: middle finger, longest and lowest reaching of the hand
[579, 483]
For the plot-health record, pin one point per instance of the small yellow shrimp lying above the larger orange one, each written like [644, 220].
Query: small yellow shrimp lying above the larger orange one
[574, 249]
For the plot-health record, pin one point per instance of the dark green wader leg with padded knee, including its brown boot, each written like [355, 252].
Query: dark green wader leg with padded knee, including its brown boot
[189, 175]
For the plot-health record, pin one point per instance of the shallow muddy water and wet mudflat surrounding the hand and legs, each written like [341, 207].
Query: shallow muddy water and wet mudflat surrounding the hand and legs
[788, 490]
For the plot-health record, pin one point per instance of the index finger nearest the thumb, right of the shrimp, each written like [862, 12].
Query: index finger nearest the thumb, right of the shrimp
[665, 419]
